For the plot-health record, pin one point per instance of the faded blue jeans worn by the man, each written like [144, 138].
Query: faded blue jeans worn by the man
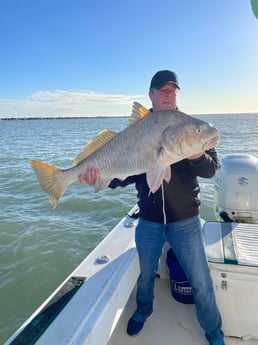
[185, 237]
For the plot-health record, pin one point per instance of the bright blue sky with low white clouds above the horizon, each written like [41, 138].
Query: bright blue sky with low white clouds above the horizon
[94, 58]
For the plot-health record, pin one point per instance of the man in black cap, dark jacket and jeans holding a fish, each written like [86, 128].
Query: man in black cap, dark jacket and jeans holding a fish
[172, 214]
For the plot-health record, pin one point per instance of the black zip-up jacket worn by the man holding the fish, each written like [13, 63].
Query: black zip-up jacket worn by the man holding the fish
[180, 194]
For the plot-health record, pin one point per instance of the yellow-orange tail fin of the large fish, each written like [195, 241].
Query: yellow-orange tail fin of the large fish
[50, 180]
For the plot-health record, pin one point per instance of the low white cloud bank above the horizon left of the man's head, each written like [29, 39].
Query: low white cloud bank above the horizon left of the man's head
[66, 103]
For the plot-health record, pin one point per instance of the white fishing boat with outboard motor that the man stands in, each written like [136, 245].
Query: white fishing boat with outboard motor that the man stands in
[92, 306]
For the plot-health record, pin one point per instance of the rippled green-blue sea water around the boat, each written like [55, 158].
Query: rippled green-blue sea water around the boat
[40, 246]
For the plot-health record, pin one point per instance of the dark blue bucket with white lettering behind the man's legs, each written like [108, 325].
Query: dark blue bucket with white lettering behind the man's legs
[181, 290]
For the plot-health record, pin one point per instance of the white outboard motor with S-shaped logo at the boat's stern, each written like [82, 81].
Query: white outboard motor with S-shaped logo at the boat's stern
[236, 189]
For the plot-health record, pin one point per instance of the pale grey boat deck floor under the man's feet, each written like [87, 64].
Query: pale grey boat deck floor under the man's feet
[172, 323]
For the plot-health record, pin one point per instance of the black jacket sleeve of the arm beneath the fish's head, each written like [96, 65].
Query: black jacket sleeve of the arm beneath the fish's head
[207, 165]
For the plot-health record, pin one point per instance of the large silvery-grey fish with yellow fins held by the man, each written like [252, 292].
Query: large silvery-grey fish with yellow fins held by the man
[149, 146]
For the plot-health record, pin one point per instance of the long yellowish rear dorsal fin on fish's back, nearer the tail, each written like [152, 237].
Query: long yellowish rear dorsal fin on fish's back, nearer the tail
[93, 145]
